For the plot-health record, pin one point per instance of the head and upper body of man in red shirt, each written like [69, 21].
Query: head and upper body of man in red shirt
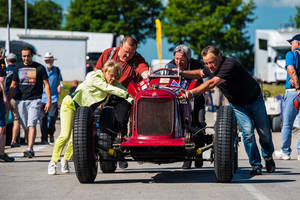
[134, 65]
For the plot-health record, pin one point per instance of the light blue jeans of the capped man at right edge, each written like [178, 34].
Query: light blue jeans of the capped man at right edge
[289, 114]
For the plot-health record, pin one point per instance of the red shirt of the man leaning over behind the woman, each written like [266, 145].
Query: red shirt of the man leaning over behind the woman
[127, 67]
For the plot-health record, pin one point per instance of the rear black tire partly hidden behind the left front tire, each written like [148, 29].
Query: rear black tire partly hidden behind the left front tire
[106, 138]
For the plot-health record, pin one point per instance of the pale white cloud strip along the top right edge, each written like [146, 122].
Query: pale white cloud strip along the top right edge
[277, 3]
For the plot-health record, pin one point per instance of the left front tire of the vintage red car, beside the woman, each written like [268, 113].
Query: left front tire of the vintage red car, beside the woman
[84, 146]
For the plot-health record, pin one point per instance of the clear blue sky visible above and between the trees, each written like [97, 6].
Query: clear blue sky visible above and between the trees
[270, 14]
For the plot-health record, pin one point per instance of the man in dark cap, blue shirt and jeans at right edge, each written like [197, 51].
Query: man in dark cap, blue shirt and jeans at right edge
[292, 88]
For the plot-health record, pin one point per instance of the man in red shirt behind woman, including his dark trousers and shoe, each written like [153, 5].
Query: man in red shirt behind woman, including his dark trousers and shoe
[134, 68]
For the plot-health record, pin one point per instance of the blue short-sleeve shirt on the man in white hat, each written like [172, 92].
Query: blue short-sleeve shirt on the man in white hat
[54, 77]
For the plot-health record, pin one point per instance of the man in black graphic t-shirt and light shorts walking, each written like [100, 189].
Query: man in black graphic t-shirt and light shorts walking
[30, 78]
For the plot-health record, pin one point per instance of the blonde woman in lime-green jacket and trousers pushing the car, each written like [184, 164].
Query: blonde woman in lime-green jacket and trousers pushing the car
[95, 90]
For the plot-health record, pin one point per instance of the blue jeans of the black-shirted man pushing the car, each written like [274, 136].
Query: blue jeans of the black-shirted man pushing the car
[248, 117]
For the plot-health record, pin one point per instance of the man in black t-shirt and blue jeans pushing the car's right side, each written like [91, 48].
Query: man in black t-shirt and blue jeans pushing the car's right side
[244, 95]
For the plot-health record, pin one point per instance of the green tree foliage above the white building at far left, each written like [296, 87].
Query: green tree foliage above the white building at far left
[43, 14]
